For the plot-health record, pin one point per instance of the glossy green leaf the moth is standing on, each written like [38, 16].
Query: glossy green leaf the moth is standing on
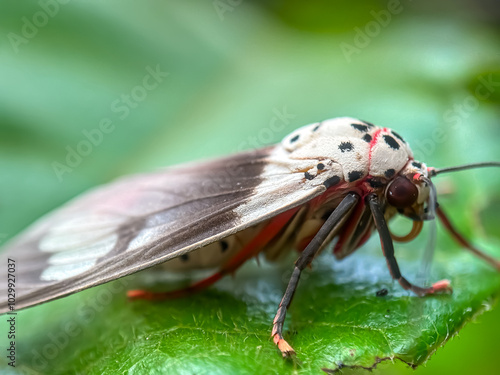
[336, 318]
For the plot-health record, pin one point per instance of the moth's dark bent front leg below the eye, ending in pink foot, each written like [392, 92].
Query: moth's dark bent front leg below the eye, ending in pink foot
[388, 249]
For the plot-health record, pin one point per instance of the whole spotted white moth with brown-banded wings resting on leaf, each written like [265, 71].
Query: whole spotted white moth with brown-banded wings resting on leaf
[340, 179]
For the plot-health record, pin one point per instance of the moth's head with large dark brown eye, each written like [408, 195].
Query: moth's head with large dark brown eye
[412, 193]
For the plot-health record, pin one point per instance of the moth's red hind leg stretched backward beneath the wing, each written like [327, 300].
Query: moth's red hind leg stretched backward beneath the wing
[250, 250]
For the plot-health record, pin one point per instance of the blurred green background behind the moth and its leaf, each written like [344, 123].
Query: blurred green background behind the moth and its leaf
[156, 83]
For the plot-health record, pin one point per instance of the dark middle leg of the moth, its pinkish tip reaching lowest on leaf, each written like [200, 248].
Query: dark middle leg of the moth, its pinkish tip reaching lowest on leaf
[304, 260]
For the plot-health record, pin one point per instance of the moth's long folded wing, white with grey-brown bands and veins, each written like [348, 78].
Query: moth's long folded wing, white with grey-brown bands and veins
[143, 220]
